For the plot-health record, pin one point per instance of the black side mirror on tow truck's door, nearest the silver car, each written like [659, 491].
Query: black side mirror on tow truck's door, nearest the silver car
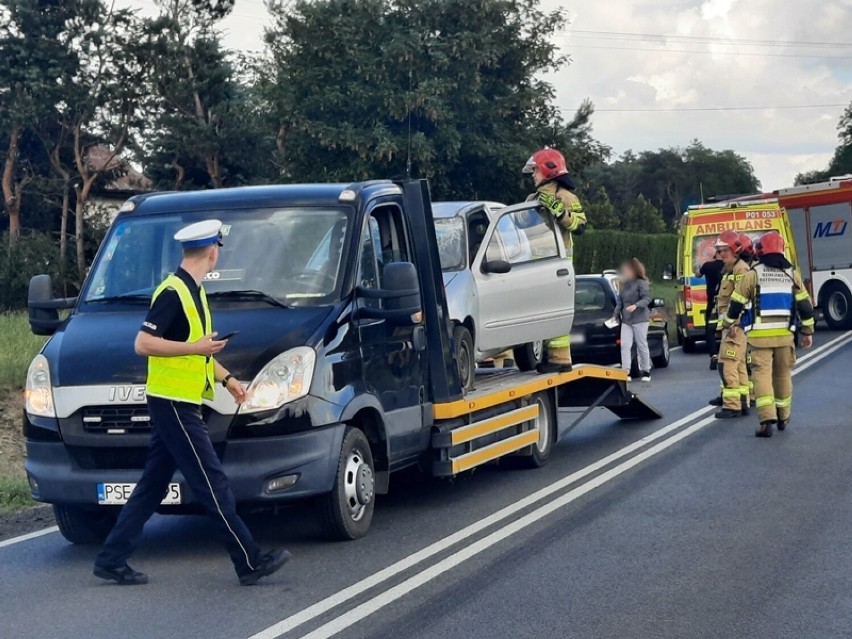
[400, 292]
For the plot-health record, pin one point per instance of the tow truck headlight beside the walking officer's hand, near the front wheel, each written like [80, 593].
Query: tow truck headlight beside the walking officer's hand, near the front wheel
[284, 379]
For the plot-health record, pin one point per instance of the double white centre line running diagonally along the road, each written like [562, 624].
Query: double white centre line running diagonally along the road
[383, 599]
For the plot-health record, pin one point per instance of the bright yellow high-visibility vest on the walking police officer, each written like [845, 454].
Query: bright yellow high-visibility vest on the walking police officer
[186, 378]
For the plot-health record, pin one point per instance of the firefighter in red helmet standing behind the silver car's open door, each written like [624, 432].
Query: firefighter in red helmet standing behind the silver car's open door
[555, 191]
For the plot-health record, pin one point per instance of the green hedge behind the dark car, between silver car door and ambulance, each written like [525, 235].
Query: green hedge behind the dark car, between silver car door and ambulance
[596, 251]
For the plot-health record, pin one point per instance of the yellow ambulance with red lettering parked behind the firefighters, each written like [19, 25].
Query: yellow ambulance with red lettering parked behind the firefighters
[699, 228]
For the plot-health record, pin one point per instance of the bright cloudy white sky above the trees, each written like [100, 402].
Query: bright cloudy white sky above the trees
[692, 54]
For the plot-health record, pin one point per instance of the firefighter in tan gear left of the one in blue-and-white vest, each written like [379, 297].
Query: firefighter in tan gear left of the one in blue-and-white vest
[732, 348]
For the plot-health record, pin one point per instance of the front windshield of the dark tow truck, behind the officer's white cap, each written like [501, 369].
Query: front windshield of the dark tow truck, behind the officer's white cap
[292, 256]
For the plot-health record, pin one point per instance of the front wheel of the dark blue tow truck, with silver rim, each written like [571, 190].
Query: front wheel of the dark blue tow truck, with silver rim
[346, 512]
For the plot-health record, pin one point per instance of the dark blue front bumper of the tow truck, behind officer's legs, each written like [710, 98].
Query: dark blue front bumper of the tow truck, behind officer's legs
[56, 476]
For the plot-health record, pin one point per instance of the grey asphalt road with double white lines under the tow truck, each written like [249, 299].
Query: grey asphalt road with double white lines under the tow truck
[682, 527]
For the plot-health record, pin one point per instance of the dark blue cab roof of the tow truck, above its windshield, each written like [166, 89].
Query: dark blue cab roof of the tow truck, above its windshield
[252, 197]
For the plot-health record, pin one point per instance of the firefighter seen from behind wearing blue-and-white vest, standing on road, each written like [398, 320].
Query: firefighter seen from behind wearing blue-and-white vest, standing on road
[772, 302]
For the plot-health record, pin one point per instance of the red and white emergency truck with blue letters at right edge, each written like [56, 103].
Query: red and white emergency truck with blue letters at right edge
[821, 218]
